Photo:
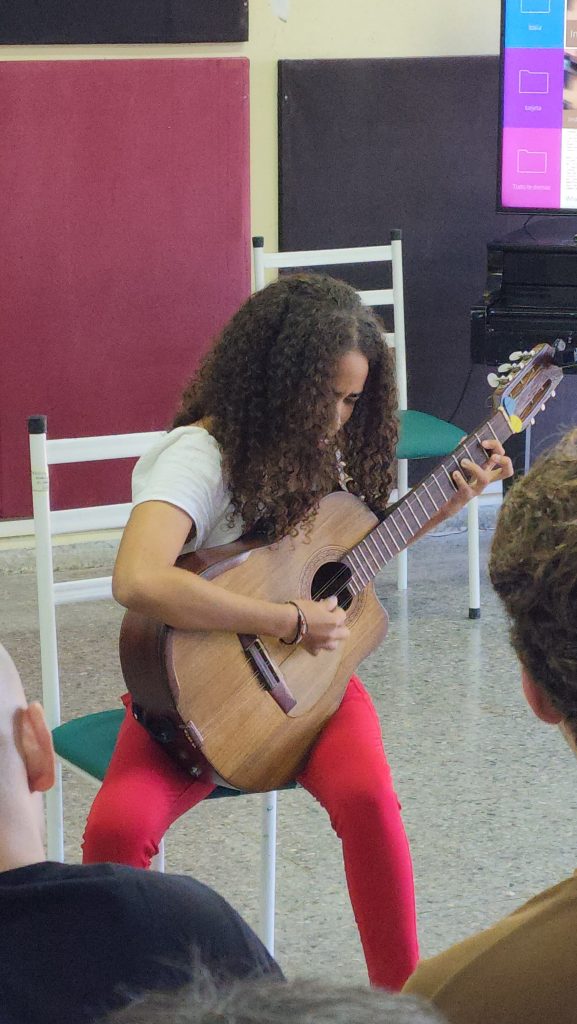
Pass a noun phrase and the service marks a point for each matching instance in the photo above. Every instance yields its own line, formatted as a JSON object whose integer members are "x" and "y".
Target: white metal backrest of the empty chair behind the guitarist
{"x": 394, "y": 297}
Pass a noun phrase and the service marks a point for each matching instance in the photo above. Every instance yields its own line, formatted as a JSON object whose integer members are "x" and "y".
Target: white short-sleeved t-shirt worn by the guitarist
{"x": 185, "y": 468}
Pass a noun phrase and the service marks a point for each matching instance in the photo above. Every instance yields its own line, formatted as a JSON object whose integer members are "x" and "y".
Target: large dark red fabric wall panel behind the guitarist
{"x": 125, "y": 212}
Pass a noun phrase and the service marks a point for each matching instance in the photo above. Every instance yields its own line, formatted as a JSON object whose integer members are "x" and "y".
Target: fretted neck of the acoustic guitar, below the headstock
{"x": 419, "y": 507}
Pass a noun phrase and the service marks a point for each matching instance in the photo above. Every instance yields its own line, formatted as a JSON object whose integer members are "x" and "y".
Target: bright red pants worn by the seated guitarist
{"x": 145, "y": 792}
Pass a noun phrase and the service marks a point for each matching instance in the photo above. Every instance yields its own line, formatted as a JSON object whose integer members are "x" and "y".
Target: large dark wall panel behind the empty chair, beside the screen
{"x": 368, "y": 146}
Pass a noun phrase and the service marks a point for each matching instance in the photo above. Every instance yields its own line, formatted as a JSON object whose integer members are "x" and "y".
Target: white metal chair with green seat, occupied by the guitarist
{"x": 86, "y": 744}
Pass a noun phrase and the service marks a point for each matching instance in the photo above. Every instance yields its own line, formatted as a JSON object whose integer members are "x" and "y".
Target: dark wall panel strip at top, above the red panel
{"x": 123, "y": 21}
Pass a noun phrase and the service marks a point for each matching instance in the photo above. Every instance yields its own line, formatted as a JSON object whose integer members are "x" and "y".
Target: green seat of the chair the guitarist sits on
{"x": 89, "y": 743}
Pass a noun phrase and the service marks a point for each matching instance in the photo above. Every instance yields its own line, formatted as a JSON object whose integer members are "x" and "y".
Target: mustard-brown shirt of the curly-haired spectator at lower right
{"x": 521, "y": 971}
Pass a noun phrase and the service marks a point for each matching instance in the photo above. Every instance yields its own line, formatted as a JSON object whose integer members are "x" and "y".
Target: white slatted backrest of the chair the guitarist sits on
{"x": 46, "y": 453}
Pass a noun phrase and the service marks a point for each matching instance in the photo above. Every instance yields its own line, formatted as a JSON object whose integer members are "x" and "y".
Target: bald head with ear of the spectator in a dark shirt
{"x": 27, "y": 770}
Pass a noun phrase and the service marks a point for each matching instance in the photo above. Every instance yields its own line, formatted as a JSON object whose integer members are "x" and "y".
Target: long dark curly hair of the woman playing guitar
{"x": 267, "y": 387}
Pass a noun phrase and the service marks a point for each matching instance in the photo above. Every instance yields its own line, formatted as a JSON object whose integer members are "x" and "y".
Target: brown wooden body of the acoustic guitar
{"x": 201, "y": 693}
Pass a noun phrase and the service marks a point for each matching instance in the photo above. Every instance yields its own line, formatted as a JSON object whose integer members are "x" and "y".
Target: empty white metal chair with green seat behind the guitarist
{"x": 422, "y": 436}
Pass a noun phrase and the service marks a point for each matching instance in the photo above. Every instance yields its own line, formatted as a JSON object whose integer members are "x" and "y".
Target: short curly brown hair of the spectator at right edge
{"x": 533, "y": 569}
